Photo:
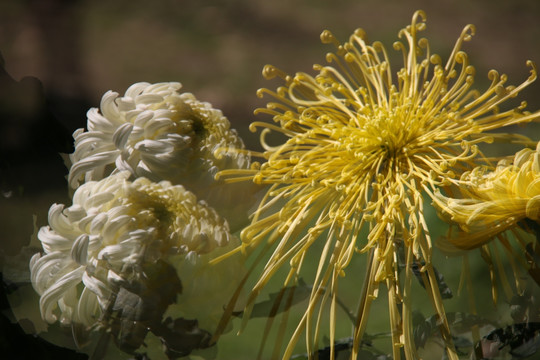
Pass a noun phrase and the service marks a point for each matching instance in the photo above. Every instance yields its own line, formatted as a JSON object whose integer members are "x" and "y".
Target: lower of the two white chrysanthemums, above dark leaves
{"x": 118, "y": 232}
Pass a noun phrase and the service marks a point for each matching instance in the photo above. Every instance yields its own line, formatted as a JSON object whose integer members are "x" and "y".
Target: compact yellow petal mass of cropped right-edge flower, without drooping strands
{"x": 492, "y": 202}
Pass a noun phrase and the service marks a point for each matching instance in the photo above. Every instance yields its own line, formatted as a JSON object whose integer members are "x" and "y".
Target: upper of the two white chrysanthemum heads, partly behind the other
{"x": 157, "y": 132}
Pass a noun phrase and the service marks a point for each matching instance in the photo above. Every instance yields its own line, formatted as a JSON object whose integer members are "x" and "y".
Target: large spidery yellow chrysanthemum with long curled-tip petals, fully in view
{"x": 361, "y": 150}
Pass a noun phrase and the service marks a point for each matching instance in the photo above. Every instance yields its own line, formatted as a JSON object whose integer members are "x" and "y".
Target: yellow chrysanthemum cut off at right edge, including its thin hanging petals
{"x": 506, "y": 198}
